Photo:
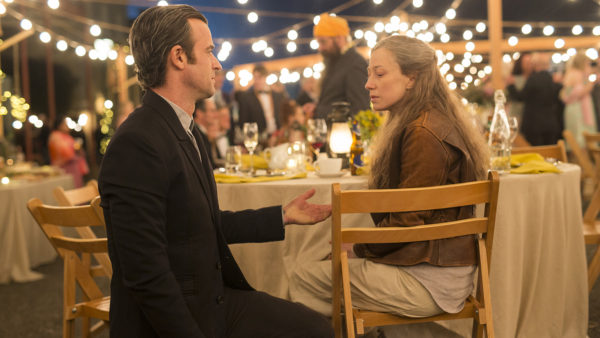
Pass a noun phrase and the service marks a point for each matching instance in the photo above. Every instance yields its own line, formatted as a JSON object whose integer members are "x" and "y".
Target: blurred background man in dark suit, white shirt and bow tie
{"x": 260, "y": 104}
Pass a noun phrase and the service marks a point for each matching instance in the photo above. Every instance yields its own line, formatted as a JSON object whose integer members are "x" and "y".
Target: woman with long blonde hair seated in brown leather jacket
{"x": 427, "y": 140}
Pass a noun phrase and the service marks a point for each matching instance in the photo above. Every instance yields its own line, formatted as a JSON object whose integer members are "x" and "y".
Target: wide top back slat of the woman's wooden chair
{"x": 414, "y": 199}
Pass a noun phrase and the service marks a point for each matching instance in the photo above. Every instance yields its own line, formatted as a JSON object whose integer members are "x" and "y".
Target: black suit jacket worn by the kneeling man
{"x": 167, "y": 238}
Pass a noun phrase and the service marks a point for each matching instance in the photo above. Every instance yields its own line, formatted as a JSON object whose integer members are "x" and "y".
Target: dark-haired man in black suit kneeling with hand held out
{"x": 174, "y": 275}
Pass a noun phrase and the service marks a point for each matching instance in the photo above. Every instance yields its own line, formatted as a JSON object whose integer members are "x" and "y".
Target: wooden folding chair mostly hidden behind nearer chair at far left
{"x": 81, "y": 196}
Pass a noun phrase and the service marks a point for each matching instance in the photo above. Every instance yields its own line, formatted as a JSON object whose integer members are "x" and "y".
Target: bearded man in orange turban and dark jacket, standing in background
{"x": 345, "y": 70}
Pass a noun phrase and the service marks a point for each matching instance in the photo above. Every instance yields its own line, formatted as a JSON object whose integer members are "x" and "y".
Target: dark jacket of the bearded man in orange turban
{"x": 344, "y": 81}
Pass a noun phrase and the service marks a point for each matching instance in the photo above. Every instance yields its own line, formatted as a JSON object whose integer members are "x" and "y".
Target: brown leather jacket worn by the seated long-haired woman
{"x": 430, "y": 152}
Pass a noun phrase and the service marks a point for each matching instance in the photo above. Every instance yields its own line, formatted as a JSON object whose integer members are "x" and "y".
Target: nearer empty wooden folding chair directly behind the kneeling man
{"x": 77, "y": 270}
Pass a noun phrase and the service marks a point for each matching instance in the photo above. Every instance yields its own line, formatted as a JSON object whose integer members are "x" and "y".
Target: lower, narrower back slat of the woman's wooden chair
{"x": 430, "y": 232}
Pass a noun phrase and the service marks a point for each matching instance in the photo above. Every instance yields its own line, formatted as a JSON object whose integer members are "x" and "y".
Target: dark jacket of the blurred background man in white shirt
{"x": 250, "y": 109}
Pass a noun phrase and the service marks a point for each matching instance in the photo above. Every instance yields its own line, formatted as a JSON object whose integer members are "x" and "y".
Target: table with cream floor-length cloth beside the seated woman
{"x": 538, "y": 272}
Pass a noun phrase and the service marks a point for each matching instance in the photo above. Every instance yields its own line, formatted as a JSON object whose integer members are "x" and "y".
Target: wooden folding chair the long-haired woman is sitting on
{"x": 416, "y": 199}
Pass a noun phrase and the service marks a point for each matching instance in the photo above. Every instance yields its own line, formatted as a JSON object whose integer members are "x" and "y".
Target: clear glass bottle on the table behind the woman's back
{"x": 499, "y": 138}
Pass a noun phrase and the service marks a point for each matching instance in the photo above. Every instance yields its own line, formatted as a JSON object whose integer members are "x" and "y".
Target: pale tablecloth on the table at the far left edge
{"x": 23, "y": 245}
